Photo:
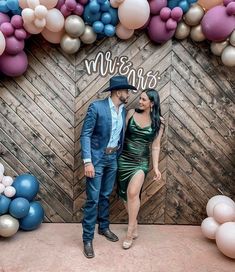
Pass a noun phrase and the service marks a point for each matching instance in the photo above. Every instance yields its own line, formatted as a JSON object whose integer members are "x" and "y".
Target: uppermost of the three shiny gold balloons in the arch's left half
{"x": 74, "y": 26}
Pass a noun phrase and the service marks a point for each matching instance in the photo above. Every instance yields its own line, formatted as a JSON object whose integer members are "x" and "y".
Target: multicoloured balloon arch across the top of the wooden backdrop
{"x": 73, "y": 22}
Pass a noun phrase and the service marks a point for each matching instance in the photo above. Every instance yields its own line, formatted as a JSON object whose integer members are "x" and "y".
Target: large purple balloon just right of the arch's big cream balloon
{"x": 157, "y": 30}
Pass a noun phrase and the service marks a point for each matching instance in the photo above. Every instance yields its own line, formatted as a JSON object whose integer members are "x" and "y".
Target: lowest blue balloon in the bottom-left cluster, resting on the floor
{"x": 34, "y": 217}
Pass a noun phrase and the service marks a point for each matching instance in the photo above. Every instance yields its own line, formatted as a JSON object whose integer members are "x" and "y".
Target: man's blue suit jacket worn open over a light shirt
{"x": 96, "y": 130}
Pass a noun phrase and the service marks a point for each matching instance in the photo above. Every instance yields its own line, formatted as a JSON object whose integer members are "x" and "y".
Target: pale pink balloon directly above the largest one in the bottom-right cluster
{"x": 223, "y": 213}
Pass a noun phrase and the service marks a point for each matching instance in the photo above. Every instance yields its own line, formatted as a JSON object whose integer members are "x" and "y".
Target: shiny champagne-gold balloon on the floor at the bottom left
{"x": 8, "y": 225}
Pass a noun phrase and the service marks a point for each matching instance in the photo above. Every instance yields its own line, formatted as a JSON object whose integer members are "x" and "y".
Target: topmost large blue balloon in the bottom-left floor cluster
{"x": 26, "y": 186}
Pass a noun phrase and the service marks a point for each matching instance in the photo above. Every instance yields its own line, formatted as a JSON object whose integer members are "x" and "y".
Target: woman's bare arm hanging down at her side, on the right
{"x": 156, "y": 150}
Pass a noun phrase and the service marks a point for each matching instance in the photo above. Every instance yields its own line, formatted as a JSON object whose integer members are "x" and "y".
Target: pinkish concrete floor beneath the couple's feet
{"x": 159, "y": 248}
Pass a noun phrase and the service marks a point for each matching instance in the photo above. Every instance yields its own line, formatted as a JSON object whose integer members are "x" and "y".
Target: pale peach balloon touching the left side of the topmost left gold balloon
{"x": 54, "y": 20}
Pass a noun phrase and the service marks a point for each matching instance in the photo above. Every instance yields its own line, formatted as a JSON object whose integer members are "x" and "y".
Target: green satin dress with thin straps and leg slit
{"x": 135, "y": 155}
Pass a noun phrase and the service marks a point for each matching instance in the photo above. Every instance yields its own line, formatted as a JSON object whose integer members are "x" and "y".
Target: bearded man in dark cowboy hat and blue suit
{"x": 101, "y": 142}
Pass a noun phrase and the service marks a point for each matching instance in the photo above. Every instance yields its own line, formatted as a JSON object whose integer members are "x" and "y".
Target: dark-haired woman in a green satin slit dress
{"x": 144, "y": 127}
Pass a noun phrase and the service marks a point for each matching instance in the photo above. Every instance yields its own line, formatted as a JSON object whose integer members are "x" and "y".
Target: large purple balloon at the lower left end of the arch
{"x": 13, "y": 65}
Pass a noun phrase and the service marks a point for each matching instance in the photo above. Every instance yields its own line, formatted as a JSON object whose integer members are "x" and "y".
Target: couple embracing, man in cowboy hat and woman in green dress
{"x": 116, "y": 146}
